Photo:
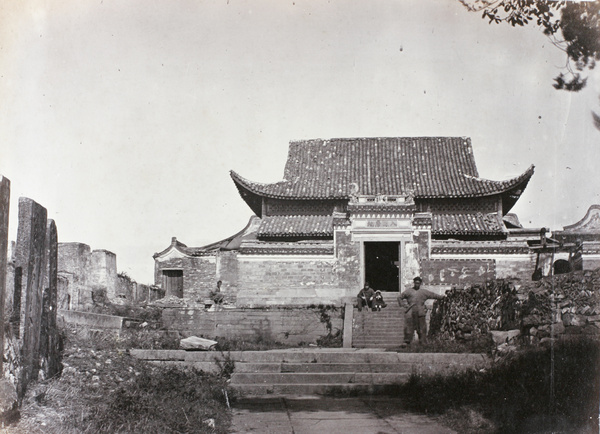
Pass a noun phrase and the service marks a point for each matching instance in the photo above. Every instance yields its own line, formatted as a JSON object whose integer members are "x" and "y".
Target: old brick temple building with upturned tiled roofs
{"x": 347, "y": 211}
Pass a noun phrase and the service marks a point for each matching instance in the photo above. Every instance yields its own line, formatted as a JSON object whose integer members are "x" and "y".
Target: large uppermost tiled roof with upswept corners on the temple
{"x": 428, "y": 167}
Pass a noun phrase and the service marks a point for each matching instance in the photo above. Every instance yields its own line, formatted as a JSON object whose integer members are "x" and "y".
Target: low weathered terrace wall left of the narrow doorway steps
{"x": 286, "y": 325}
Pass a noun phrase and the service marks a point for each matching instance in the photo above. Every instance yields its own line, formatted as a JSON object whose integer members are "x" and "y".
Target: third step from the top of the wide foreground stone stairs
{"x": 318, "y": 378}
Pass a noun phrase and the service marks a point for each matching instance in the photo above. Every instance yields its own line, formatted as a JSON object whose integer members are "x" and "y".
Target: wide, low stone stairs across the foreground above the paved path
{"x": 317, "y": 371}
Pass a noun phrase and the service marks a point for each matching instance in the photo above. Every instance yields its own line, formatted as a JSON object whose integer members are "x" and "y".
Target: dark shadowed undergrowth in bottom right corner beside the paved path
{"x": 557, "y": 389}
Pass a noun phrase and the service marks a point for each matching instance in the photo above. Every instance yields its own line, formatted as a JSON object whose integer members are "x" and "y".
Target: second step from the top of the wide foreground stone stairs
{"x": 322, "y": 367}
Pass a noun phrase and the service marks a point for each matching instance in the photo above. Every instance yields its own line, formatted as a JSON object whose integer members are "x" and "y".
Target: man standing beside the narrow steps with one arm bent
{"x": 414, "y": 318}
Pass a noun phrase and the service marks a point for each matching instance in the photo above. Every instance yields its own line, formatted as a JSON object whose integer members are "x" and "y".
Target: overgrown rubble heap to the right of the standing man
{"x": 566, "y": 303}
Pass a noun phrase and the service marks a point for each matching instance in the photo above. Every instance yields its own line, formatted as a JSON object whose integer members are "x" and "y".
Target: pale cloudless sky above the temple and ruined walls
{"x": 123, "y": 118}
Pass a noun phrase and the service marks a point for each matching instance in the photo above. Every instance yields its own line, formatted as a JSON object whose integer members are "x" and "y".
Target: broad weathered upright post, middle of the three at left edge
{"x": 30, "y": 258}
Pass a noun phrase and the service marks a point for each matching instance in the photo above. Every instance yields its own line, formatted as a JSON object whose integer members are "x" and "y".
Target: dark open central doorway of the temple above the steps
{"x": 381, "y": 269}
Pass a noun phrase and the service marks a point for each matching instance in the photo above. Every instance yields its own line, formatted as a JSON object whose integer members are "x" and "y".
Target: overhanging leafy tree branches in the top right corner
{"x": 576, "y": 31}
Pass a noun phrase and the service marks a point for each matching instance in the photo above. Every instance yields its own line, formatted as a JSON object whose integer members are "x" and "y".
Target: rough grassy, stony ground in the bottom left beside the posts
{"x": 104, "y": 389}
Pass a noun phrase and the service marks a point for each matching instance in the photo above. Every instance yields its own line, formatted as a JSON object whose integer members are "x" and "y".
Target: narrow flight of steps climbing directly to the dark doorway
{"x": 379, "y": 329}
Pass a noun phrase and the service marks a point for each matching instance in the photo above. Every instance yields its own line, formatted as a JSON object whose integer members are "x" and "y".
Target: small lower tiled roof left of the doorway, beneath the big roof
{"x": 296, "y": 226}
